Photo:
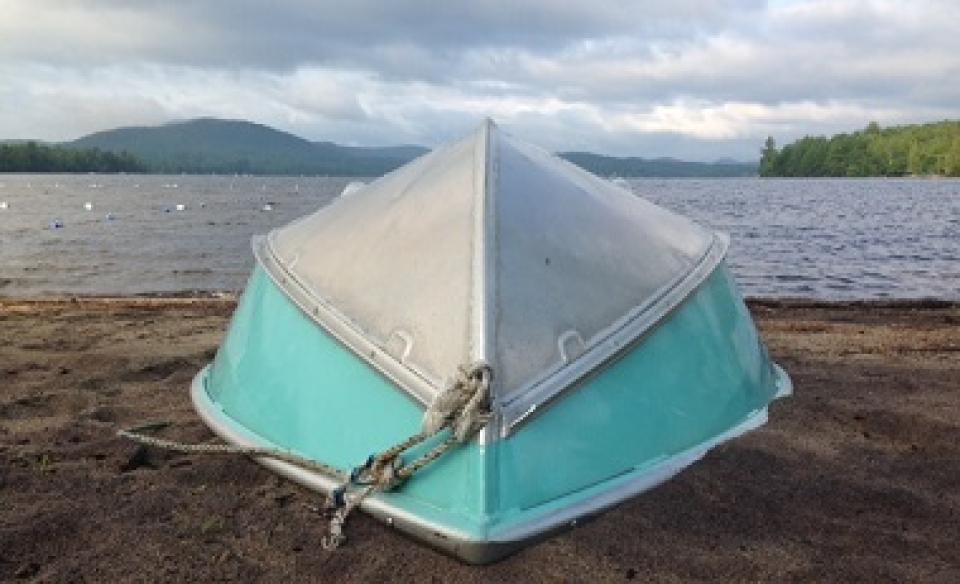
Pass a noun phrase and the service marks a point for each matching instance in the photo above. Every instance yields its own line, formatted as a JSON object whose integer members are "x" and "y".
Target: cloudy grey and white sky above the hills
{"x": 693, "y": 79}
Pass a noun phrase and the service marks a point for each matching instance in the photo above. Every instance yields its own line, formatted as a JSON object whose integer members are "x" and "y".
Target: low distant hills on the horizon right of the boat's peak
{"x": 657, "y": 167}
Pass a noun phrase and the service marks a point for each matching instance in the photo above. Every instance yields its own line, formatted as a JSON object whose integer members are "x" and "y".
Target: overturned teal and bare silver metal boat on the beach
{"x": 614, "y": 345}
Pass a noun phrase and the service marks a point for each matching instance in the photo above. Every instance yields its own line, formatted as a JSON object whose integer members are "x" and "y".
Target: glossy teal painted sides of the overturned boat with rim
{"x": 697, "y": 378}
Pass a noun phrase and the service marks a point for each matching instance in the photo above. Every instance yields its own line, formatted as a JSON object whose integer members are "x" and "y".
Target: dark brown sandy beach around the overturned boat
{"x": 856, "y": 478}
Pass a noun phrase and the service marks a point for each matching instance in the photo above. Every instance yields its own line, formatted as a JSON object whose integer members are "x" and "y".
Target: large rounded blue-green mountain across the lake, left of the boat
{"x": 228, "y": 146}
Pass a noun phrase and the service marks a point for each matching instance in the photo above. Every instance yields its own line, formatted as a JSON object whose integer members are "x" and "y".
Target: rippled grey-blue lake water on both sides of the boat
{"x": 829, "y": 239}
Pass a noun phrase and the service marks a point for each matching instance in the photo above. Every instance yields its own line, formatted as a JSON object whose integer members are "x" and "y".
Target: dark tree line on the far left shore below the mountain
{"x": 34, "y": 157}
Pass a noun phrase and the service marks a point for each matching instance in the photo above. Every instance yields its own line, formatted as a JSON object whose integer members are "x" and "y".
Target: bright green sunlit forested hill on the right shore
{"x": 917, "y": 150}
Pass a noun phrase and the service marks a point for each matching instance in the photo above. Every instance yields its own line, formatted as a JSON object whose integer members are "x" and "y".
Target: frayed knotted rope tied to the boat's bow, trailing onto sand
{"x": 462, "y": 408}
